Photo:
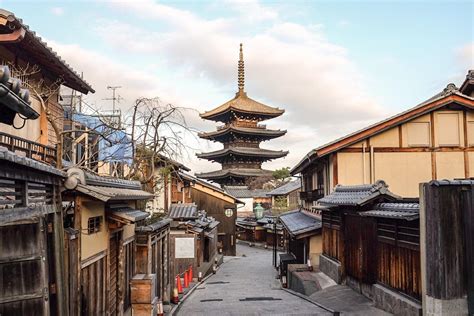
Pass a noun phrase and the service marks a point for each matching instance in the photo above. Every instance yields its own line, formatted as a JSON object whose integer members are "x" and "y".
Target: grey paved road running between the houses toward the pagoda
{"x": 238, "y": 285}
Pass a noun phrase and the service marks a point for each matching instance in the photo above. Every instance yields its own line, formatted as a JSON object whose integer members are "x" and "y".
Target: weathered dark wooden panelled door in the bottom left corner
{"x": 23, "y": 267}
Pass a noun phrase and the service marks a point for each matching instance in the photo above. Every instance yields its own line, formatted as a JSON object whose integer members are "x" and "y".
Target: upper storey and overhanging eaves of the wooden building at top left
{"x": 22, "y": 49}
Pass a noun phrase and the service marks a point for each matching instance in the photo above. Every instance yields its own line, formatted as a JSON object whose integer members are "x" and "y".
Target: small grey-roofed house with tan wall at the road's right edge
{"x": 302, "y": 234}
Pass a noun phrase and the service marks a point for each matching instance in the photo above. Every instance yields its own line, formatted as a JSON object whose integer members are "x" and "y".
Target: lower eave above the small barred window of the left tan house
{"x": 107, "y": 194}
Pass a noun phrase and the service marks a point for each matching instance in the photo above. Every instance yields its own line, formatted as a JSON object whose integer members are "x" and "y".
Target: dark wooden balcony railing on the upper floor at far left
{"x": 31, "y": 149}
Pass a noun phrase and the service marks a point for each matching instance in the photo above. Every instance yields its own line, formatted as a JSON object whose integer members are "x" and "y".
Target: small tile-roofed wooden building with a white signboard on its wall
{"x": 193, "y": 239}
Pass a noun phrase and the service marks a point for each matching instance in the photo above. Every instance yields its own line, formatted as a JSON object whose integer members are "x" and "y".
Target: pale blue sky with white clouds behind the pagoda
{"x": 334, "y": 66}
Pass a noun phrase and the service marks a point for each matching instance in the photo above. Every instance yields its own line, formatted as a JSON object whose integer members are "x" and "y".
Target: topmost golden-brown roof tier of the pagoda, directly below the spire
{"x": 244, "y": 105}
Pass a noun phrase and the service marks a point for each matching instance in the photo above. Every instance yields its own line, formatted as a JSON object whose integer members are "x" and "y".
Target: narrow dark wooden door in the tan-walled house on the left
{"x": 114, "y": 274}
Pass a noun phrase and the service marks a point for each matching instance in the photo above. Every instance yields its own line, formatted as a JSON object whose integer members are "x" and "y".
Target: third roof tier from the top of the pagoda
{"x": 264, "y": 154}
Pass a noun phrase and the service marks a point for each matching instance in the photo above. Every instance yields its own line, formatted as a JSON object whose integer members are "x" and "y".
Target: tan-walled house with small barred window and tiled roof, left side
{"x": 101, "y": 216}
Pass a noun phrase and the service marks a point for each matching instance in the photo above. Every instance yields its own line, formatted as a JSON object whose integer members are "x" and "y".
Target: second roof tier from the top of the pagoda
{"x": 256, "y": 132}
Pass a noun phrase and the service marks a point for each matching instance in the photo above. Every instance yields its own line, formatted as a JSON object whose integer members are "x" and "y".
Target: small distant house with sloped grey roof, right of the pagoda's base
{"x": 286, "y": 197}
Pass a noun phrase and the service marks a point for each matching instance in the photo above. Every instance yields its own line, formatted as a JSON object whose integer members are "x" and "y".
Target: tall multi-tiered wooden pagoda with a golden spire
{"x": 241, "y": 134}
